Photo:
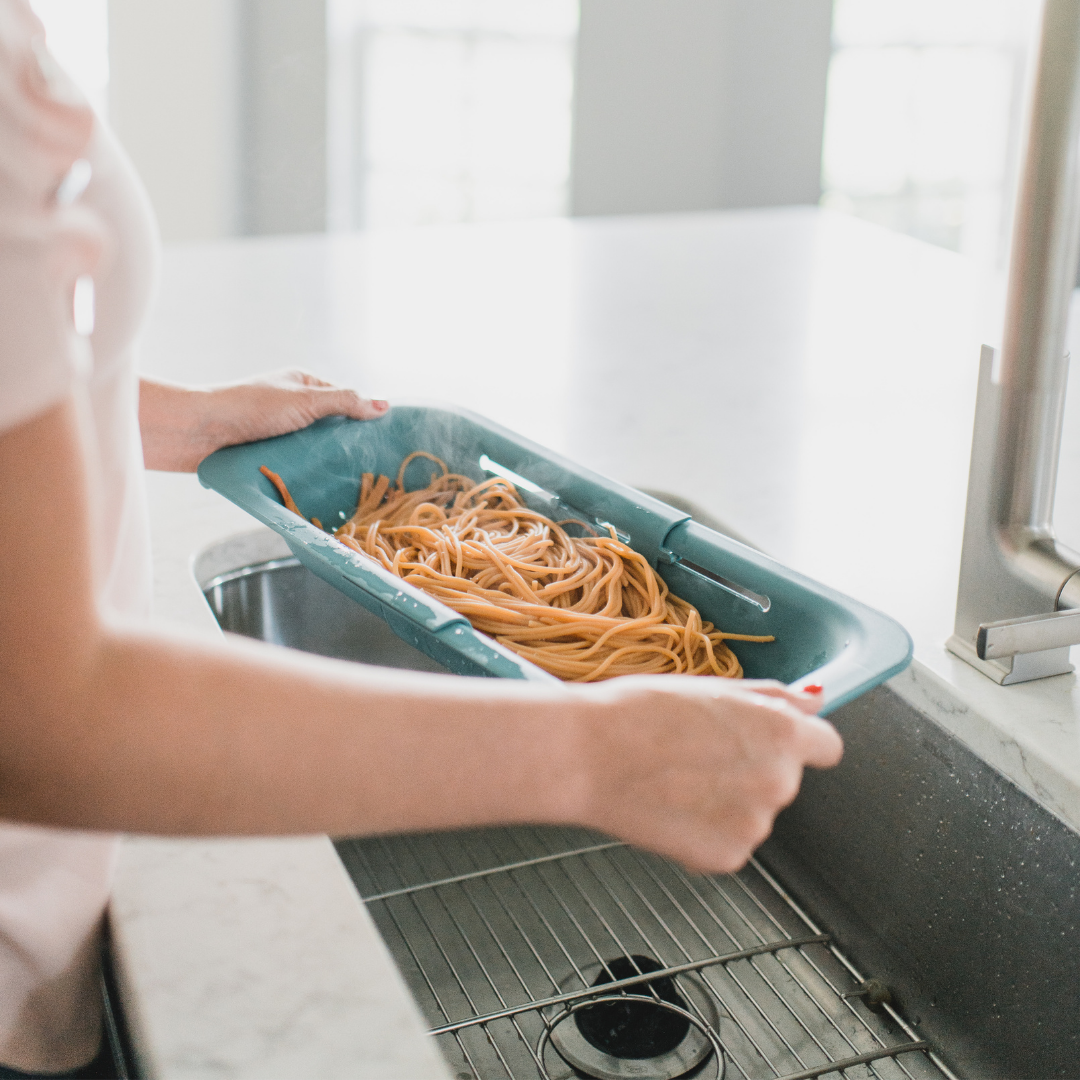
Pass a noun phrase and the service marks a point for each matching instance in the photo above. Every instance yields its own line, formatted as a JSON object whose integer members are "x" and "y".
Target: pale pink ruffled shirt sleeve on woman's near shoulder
{"x": 45, "y": 128}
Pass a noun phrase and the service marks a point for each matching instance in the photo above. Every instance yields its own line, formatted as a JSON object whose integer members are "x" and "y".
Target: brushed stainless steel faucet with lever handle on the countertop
{"x": 1015, "y": 574}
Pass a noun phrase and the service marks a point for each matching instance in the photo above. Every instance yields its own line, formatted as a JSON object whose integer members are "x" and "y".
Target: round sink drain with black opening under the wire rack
{"x": 661, "y": 1030}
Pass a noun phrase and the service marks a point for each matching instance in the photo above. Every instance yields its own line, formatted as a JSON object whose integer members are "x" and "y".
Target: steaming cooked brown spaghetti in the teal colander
{"x": 583, "y": 609}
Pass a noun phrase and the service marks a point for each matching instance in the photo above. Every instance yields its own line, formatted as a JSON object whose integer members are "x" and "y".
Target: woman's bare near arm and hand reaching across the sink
{"x": 107, "y": 726}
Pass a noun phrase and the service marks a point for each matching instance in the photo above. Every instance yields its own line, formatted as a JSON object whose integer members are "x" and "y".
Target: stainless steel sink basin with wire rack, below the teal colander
{"x": 913, "y": 916}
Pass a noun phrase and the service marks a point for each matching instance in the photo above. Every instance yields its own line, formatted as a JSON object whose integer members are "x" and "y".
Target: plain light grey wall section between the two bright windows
{"x": 699, "y": 104}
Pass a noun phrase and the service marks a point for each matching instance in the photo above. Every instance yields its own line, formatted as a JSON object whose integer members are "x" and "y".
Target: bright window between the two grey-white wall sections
{"x": 450, "y": 111}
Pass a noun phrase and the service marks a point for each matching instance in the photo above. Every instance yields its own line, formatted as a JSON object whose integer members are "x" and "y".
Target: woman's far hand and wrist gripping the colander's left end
{"x": 182, "y": 426}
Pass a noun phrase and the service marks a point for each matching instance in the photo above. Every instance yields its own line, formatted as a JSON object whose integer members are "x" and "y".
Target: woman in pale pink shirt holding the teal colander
{"x": 109, "y": 725}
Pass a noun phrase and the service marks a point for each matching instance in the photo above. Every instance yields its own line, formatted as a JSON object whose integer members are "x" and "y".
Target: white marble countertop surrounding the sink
{"x": 807, "y": 379}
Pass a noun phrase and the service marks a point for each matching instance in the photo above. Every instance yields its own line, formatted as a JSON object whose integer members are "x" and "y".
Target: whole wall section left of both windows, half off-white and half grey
{"x": 222, "y": 104}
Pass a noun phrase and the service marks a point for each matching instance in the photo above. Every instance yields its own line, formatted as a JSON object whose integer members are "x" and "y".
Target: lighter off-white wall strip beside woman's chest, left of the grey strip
{"x": 173, "y": 101}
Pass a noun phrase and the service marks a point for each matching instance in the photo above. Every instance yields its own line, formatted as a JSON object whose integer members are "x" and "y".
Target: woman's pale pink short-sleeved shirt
{"x": 55, "y": 885}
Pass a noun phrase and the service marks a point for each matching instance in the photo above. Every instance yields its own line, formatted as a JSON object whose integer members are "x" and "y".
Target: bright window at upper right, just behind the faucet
{"x": 924, "y": 116}
